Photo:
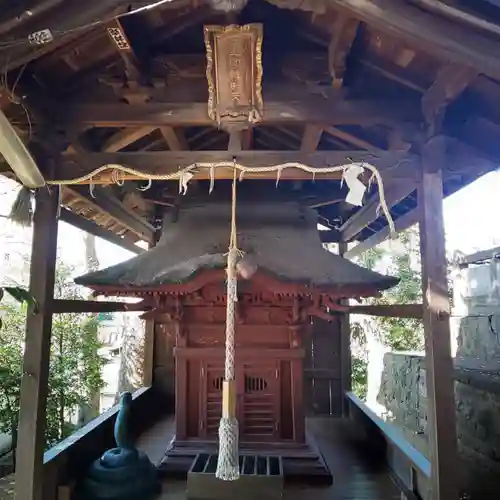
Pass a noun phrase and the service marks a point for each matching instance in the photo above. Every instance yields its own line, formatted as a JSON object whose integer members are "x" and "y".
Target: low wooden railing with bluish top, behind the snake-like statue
{"x": 71, "y": 457}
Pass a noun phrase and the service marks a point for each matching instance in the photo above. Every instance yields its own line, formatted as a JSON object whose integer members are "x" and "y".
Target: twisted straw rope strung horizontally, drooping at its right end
{"x": 242, "y": 169}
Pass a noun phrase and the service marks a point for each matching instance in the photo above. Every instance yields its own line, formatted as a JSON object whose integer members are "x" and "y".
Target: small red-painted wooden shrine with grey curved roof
{"x": 286, "y": 280}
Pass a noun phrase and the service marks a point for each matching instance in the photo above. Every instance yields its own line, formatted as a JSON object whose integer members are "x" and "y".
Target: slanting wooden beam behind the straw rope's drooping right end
{"x": 394, "y": 193}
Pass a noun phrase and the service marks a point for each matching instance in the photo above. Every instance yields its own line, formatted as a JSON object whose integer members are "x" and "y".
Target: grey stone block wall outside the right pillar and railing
{"x": 475, "y": 341}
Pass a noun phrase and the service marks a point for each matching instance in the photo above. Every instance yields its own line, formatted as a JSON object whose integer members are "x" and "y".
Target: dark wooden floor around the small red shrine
{"x": 354, "y": 477}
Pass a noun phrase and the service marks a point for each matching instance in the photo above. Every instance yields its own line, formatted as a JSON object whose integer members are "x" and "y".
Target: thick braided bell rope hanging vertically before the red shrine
{"x": 228, "y": 468}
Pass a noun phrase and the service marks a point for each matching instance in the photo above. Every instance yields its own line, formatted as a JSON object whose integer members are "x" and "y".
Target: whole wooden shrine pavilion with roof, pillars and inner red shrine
{"x": 125, "y": 117}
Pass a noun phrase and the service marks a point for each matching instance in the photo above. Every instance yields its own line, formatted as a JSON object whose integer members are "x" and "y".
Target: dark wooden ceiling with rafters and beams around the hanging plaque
{"x": 358, "y": 79}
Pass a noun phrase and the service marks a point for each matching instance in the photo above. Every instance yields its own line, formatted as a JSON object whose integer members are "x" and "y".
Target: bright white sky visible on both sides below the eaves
{"x": 470, "y": 216}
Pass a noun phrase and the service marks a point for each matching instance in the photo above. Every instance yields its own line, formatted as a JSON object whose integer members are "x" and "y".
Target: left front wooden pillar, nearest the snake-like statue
{"x": 34, "y": 386}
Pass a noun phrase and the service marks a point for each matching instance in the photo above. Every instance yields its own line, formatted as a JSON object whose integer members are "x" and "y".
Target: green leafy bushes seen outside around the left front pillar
{"x": 75, "y": 366}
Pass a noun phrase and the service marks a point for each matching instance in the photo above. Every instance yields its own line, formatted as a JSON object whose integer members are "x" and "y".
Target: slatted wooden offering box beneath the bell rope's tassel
{"x": 260, "y": 476}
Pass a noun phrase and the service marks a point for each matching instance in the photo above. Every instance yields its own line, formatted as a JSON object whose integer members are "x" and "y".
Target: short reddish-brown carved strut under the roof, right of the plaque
{"x": 344, "y": 33}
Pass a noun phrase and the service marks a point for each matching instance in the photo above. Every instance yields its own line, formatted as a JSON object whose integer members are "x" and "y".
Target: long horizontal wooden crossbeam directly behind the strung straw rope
{"x": 169, "y": 162}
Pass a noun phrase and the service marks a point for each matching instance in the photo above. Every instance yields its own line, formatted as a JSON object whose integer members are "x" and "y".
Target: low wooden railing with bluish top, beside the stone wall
{"x": 410, "y": 470}
